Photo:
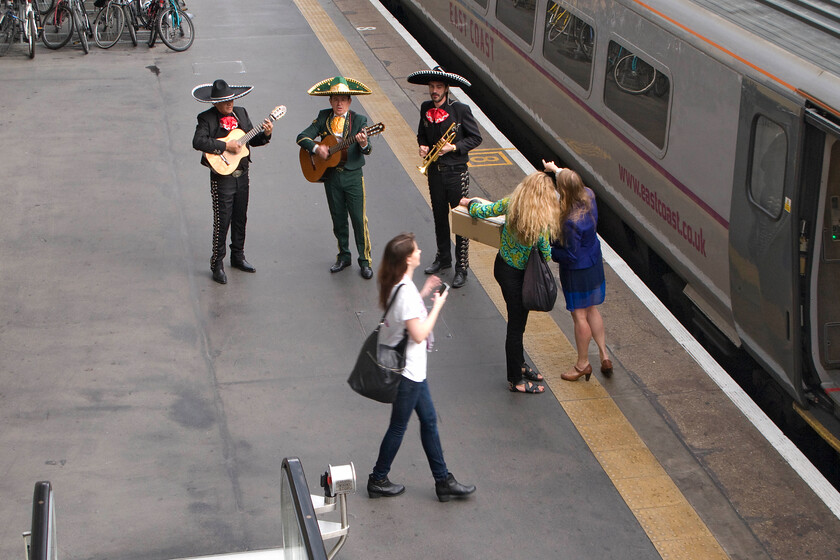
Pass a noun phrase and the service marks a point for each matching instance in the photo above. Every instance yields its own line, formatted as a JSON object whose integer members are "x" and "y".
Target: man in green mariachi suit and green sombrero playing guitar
{"x": 344, "y": 184}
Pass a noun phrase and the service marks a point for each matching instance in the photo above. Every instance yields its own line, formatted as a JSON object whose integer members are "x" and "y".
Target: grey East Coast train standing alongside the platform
{"x": 727, "y": 165}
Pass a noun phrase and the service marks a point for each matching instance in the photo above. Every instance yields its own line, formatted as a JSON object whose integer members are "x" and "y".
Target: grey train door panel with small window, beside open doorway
{"x": 762, "y": 232}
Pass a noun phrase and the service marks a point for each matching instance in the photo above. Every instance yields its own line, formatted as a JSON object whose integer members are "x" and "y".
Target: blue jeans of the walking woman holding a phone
{"x": 412, "y": 396}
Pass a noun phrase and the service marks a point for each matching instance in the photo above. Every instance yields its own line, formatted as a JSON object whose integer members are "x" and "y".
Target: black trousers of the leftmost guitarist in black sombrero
{"x": 230, "y": 212}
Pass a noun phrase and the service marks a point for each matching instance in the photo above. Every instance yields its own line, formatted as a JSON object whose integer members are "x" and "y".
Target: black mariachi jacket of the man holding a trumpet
{"x": 467, "y": 137}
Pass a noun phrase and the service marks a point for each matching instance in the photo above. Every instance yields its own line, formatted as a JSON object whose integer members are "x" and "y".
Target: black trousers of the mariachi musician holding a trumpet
{"x": 447, "y": 186}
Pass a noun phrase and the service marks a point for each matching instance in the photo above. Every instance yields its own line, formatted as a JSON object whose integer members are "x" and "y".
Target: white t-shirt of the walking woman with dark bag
{"x": 408, "y": 305}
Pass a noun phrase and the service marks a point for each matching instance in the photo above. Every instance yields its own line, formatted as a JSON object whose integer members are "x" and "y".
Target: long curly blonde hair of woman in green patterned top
{"x": 534, "y": 209}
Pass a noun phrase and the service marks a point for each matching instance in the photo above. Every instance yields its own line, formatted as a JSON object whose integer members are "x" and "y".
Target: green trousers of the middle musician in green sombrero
{"x": 345, "y": 192}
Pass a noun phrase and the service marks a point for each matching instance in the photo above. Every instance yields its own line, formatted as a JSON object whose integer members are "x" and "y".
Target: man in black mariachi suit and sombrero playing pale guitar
{"x": 229, "y": 192}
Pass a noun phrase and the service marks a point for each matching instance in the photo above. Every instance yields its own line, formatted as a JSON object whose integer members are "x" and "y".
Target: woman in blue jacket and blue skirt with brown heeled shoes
{"x": 578, "y": 251}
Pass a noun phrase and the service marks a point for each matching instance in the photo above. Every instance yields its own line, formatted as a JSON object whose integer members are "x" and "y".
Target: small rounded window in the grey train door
{"x": 767, "y": 166}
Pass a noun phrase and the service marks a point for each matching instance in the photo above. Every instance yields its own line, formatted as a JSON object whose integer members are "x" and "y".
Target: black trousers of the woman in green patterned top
{"x": 510, "y": 280}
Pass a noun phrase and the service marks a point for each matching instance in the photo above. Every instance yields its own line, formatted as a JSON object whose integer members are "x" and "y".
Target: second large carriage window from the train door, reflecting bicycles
{"x": 568, "y": 43}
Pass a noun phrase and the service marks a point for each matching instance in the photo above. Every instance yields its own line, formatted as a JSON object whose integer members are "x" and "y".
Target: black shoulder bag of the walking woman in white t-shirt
{"x": 379, "y": 367}
